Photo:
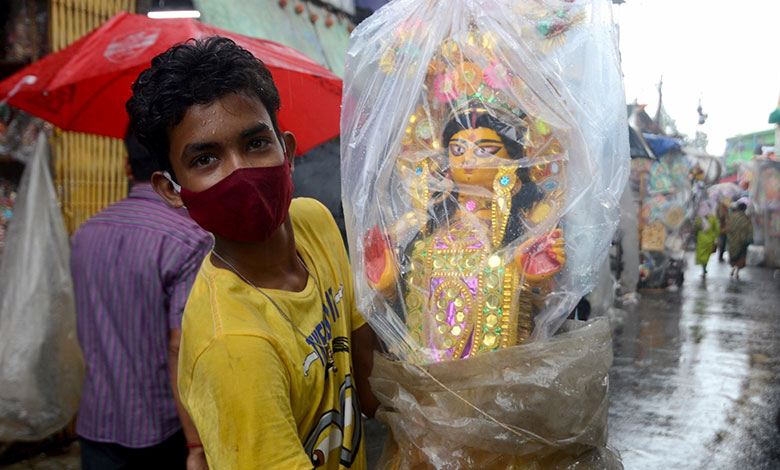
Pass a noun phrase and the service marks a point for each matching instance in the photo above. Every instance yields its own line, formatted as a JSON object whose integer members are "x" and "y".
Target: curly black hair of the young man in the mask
{"x": 195, "y": 72}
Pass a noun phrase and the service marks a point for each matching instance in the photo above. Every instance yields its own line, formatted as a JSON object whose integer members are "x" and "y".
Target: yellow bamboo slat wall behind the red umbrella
{"x": 89, "y": 169}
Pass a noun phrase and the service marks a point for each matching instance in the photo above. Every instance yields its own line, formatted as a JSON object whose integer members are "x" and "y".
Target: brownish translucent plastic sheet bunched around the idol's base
{"x": 536, "y": 406}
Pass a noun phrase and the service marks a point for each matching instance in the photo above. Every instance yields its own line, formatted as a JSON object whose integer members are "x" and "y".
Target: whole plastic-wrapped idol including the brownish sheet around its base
{"x": 483, "y": 154}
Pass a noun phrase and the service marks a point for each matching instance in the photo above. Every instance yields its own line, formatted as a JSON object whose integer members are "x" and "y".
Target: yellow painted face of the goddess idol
{"x": 475, "y": 155}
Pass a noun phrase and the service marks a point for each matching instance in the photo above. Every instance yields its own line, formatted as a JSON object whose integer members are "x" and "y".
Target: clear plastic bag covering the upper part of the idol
{"x": 484, "y": 150}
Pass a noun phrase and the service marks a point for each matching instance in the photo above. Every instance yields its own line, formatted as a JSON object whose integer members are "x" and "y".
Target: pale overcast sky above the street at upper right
{"x": 725, "y": 52}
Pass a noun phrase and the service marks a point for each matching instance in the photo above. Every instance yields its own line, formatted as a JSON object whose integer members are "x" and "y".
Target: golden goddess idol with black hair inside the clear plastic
{"x": 483, "y": 173}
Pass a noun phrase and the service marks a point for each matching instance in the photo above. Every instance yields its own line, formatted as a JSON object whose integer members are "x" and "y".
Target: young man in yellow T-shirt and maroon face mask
{"x": 273, "y": 353}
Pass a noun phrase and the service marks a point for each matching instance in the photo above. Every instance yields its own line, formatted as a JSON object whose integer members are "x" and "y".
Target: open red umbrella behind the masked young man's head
{"x": 84, "y": 87}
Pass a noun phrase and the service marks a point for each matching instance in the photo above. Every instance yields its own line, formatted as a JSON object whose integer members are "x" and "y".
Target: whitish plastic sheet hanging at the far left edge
{"x": 41, "y": 367}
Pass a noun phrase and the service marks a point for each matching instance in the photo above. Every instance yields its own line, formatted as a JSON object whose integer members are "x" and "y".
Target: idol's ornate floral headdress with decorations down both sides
{"x": 467, "y": 76}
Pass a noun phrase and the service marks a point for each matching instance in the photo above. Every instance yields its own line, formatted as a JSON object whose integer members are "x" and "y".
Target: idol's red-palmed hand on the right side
{"x": 541, "y": 258}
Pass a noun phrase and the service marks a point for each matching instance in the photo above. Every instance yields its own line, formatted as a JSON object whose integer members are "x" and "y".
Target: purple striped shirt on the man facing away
{"x": 133, "y": 265}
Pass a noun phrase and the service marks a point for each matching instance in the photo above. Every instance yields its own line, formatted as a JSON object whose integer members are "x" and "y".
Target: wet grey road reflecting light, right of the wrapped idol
{"x": 696, "y": 378}
